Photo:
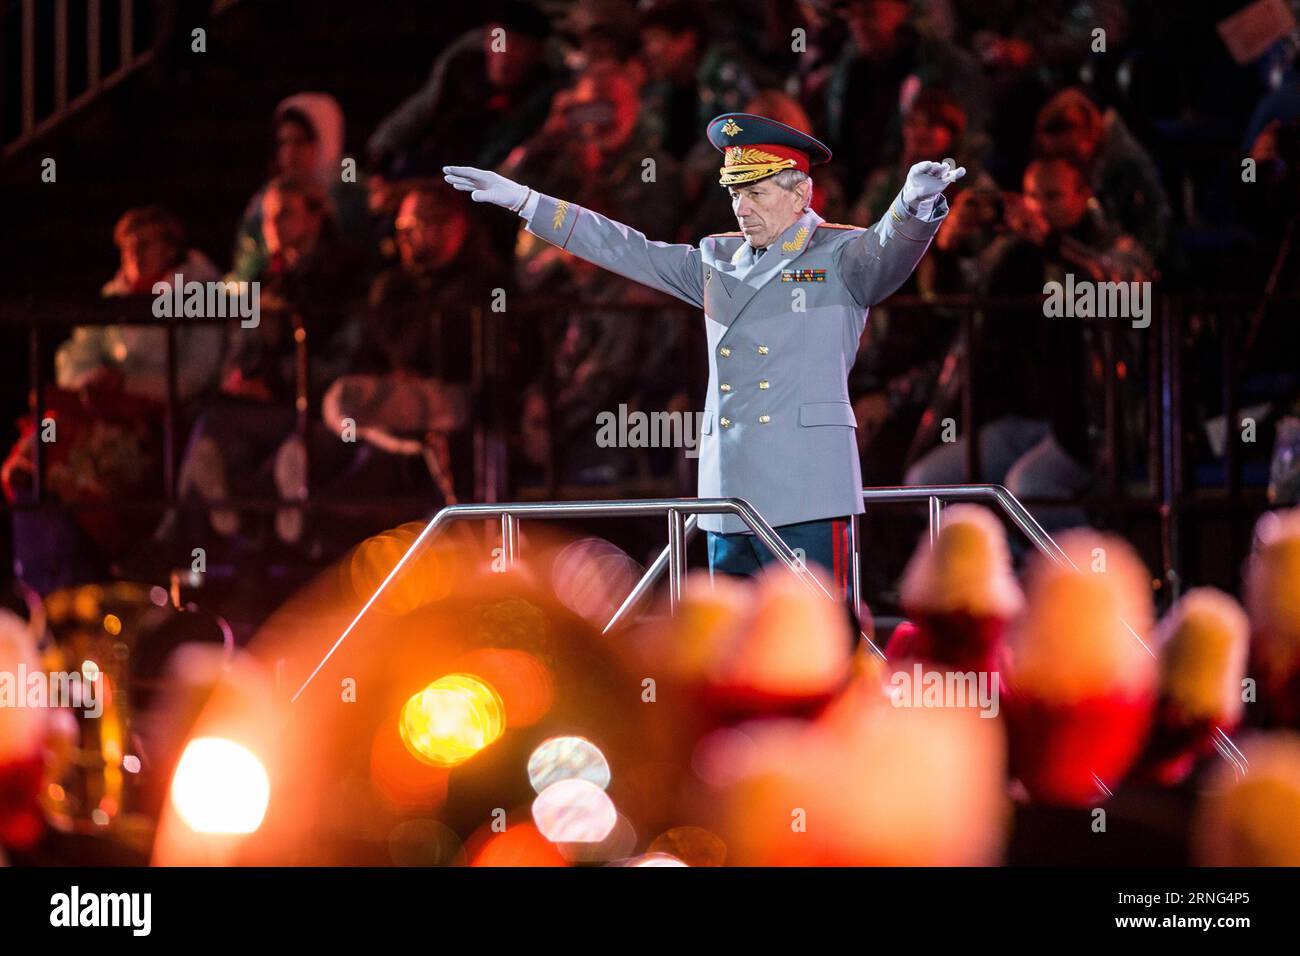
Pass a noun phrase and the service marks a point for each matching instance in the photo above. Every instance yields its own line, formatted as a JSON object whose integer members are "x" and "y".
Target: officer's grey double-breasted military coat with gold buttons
{"x": 783, "y": 334}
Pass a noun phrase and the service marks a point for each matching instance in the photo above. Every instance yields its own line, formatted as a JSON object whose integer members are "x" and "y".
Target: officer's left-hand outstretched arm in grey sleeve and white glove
{"x": 670, "y": 269}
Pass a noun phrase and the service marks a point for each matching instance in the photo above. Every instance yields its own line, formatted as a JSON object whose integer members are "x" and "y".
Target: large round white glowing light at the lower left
{"x": 220, "y": 788}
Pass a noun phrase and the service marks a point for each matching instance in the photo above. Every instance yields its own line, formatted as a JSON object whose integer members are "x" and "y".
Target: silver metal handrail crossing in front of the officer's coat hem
{"x": 675, "y": 509}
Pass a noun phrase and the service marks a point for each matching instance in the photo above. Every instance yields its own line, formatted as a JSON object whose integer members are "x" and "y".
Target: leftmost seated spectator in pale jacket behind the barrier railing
{"x": 103, "y": 418}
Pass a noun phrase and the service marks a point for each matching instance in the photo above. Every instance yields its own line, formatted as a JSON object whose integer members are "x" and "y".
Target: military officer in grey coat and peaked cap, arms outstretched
{"x": 786, "y": 301}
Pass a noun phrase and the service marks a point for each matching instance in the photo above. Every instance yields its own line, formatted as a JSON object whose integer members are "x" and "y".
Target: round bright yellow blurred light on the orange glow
{"x": 453, "y": 720}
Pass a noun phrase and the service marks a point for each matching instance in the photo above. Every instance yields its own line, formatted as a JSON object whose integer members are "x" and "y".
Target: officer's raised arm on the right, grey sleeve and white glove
{"x": 879, "y": 261}
